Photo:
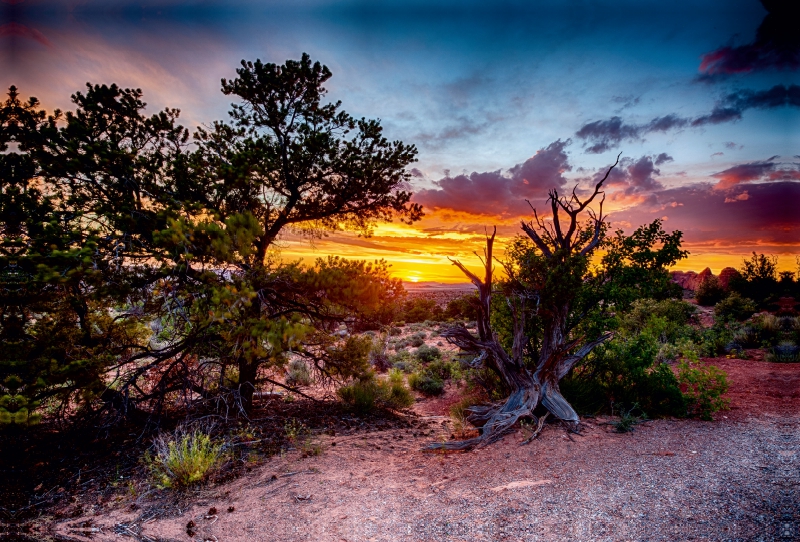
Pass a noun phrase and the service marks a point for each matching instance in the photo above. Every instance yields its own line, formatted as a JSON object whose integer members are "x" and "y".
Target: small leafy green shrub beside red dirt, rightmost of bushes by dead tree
{"x": 702, "y": 387}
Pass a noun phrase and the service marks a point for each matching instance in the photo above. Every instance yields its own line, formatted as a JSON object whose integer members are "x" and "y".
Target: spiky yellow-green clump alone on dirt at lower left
{"x": 183, "y": 458}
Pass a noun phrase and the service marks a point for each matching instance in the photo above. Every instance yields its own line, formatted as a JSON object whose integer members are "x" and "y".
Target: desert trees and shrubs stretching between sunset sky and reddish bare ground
{"x": 142, "y": 288}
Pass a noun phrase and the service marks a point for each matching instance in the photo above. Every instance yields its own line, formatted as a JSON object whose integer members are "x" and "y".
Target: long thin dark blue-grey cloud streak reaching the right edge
{"x": 603, "y": 135}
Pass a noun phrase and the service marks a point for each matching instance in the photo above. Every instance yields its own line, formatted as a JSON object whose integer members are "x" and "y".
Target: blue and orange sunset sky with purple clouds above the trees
{"x": 504, "y": 100}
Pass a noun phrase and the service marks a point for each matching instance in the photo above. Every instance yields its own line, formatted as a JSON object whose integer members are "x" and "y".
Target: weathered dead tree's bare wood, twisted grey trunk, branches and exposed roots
{"x": 558, "y": 245}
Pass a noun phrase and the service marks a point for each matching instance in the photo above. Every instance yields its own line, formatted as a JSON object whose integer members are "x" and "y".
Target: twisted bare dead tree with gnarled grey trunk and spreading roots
{"x": 545, "y": 283}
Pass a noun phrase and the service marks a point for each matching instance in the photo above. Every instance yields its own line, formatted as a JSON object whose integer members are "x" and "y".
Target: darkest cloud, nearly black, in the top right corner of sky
{"x": 777, "y": 46}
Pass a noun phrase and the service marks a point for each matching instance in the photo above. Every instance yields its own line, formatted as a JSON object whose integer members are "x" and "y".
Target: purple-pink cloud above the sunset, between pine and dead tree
{"x": 497, "y": 193}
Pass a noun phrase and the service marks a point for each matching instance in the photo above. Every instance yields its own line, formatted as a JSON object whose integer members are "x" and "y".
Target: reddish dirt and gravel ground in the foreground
{"x": 732, "y": 479}
